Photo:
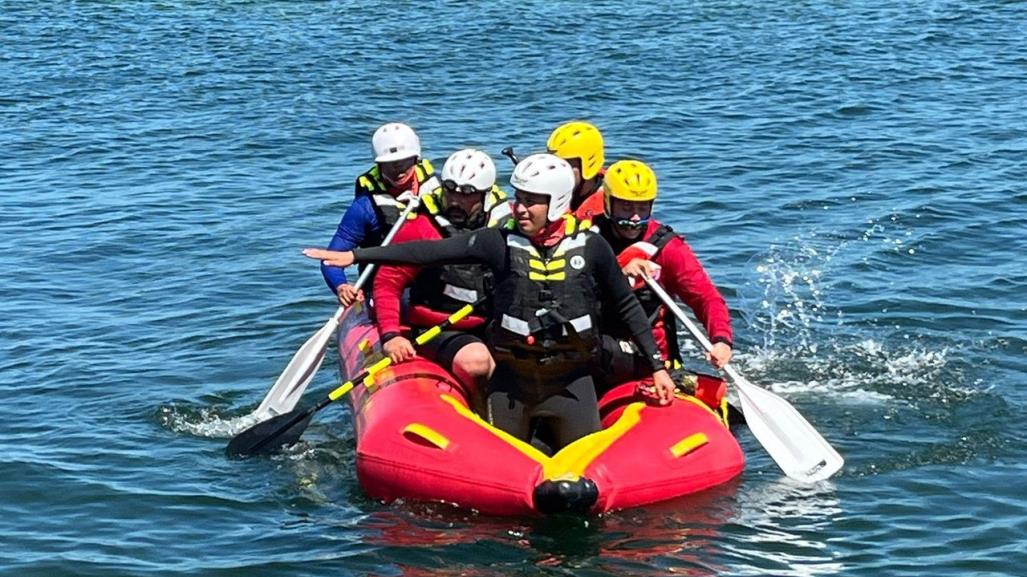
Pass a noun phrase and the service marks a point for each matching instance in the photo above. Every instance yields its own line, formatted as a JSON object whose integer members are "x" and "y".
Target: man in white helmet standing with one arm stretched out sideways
{"x": 553, "y": 279}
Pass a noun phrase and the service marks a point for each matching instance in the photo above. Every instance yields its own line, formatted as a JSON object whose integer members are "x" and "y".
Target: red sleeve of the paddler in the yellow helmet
{"x": 684, "y": 277}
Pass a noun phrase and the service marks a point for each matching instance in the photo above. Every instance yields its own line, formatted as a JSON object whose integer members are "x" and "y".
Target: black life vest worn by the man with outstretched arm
{"x": 548, "y": 307}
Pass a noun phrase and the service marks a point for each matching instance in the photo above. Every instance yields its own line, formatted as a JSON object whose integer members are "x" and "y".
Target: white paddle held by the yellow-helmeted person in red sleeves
{"x": 790, "y": 440}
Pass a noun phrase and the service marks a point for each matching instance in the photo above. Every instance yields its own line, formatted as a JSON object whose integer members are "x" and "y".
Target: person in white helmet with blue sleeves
{"x": 378, "y": 200}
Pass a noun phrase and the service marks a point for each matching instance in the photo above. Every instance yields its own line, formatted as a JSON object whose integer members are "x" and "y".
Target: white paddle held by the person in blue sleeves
{"x": 294, "y": 380}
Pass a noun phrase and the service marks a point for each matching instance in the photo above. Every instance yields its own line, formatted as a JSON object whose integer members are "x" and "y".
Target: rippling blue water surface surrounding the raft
{"x": 852, "y": 176}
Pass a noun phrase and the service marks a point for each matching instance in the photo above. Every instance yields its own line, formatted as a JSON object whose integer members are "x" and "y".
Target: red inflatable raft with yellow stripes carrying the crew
{"x": 419, "y": 440}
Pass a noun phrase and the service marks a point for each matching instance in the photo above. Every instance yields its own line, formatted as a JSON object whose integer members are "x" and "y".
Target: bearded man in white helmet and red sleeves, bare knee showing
{"x": 467, "y": 201}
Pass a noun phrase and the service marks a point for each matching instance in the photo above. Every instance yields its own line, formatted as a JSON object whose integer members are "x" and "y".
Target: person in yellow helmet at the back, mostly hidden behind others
{"x": 581, "y": 144}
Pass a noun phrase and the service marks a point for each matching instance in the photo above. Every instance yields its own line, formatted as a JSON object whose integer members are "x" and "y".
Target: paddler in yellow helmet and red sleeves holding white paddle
{"x": 646, "y": 247}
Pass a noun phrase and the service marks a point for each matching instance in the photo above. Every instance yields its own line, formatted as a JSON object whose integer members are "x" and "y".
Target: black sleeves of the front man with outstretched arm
{"x": 488, "y": 247}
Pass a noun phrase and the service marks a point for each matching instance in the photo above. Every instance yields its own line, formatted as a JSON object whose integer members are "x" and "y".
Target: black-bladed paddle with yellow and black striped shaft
{"x": 287, "y": 429}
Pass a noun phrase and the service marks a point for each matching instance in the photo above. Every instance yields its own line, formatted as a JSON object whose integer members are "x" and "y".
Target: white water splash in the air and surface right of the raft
{"x": 808, "y": 344}
